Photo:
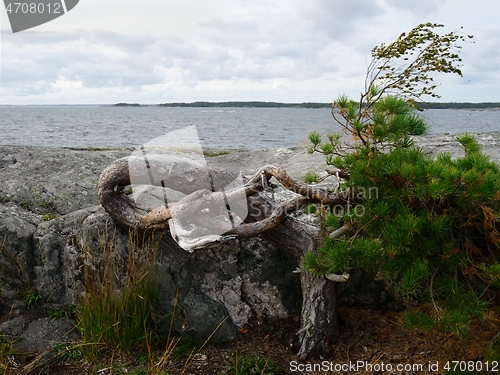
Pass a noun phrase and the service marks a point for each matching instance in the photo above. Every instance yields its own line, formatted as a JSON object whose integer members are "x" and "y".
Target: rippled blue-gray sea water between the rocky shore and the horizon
{"x": 234, "y": 128}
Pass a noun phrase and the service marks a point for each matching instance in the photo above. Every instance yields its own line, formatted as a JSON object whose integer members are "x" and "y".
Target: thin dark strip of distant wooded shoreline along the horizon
{"x": 256, "y": 104}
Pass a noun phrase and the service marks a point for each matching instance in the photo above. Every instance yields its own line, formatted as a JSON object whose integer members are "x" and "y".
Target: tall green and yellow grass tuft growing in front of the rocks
{"x": 117, "y": 309}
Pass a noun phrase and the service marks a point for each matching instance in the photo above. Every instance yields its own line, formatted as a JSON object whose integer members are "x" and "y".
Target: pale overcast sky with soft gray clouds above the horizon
{"x": 149, "y": 52}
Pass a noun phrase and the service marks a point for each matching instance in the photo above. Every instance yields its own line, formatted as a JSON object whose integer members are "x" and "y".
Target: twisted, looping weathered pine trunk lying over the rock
{"x": 207, "y": 202}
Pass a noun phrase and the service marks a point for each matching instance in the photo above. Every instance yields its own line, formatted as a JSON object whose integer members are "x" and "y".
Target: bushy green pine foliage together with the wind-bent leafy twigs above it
{"x": 433, "y": 224}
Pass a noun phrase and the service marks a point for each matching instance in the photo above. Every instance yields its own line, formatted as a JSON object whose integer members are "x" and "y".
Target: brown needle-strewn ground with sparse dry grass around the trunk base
{"x": 368, "y": 336}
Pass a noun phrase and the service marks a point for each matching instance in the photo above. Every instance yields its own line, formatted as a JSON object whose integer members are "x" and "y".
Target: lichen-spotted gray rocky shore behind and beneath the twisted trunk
{"x": 51, "y": 221}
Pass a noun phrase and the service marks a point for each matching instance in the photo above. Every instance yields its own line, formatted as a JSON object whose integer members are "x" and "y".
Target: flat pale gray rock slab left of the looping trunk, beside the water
{"x": 48, "y": 180}
